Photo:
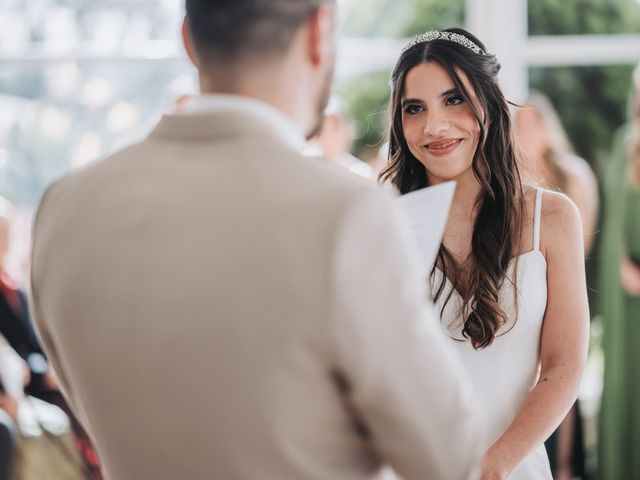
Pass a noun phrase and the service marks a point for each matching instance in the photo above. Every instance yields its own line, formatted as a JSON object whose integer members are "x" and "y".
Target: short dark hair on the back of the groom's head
{"x": 226, "y": 31}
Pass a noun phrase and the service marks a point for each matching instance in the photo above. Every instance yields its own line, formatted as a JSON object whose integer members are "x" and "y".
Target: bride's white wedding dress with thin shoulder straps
{"x": 504, "y": 373}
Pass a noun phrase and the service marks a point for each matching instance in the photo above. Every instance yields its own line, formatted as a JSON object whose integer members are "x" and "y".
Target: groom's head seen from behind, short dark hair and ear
{"x": 231, "y": 41}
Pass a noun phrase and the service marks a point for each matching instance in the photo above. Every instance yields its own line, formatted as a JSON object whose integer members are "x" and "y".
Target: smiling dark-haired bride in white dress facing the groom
{"x": 509, "y": 280}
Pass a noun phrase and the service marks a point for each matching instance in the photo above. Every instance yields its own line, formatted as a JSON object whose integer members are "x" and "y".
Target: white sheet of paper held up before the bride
{"x": 427, "y": 211}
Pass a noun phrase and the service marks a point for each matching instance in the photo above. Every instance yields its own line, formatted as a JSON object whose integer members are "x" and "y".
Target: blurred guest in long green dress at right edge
{"x": 619, "y": 439}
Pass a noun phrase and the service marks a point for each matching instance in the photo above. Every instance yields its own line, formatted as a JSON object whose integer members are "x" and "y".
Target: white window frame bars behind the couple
{"x": 501, "y": 24}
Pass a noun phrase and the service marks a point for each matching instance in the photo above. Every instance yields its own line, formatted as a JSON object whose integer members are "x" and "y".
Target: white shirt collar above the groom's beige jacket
{"x": 285, "y": 127}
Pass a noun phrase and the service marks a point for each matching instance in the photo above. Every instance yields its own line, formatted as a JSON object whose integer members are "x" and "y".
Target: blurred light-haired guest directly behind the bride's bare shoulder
{"x": 549, "y": 159}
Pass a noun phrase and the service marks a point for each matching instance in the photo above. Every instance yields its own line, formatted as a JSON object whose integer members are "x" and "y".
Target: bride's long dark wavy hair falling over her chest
{"x": 498, "y": 226}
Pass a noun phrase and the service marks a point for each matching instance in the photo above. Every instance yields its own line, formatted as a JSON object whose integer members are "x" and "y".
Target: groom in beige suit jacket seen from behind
{"x": 218, "y": 306}
